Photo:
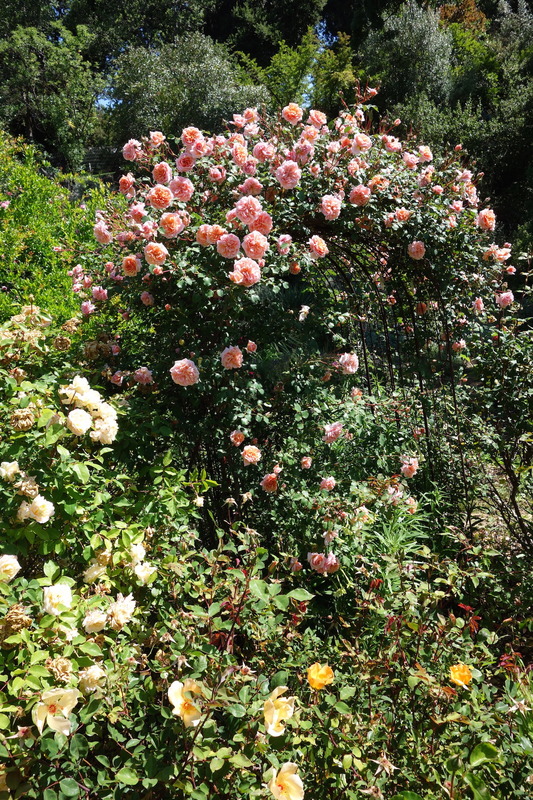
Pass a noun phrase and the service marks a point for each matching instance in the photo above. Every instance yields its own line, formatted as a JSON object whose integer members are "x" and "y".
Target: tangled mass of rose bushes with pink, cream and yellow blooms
{"x": 239, "y": 487}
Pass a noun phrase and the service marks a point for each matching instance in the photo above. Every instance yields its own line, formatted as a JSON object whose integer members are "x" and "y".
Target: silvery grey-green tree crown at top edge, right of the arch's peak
{"x": 410, "y": 54}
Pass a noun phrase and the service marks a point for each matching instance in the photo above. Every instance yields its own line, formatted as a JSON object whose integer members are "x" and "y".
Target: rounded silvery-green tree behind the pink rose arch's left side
{"x": 192, "y": 81}
